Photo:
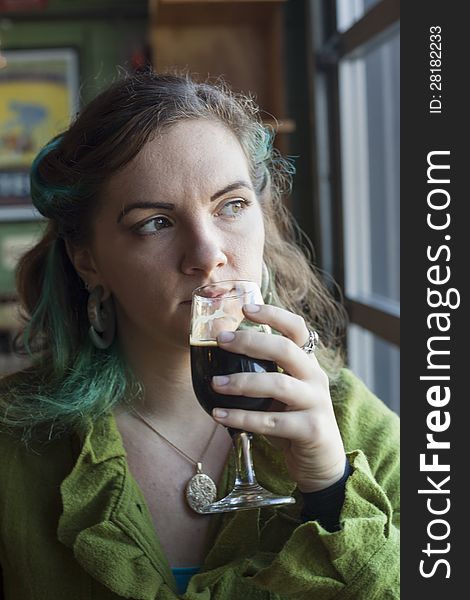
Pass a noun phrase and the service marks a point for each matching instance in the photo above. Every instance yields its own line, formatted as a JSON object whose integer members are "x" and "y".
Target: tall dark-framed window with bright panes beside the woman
{"x": 356, "y": 83}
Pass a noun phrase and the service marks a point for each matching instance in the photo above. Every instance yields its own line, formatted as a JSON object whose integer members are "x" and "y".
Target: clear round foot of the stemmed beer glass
{"x": 245, "y": 497}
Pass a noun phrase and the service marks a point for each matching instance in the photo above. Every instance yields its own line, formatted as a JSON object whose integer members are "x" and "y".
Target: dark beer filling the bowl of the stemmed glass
{"x": 209, "y": 360}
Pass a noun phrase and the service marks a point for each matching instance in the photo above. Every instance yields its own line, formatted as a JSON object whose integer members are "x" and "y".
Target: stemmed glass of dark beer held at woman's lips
{"x": 218, "y": 307}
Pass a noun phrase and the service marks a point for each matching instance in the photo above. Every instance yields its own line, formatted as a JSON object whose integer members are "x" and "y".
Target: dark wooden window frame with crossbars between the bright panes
{"x": 330, "y": 46}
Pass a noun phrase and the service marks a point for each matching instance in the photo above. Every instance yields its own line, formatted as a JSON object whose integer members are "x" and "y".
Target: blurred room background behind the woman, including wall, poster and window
{"x": 326, "y": 74}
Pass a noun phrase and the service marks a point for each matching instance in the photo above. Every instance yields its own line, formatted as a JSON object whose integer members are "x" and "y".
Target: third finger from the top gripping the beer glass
{"x": 293, "y": 393}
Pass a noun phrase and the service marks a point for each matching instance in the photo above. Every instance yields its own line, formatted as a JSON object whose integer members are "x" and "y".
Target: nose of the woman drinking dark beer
{"x": 203, "y": 251}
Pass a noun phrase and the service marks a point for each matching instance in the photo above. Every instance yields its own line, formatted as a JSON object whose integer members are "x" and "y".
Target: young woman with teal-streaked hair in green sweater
{"x": 159, "y": 186}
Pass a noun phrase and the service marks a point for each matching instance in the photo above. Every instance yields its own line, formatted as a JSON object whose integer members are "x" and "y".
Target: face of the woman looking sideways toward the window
{"x": 182, "y": 214}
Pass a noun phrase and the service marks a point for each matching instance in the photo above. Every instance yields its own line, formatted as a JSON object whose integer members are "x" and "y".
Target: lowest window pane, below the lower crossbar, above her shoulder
{"x": 377, "y": 363}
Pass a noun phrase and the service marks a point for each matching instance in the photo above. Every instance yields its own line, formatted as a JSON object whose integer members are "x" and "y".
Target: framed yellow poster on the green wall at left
{"x": 38, "y": 98}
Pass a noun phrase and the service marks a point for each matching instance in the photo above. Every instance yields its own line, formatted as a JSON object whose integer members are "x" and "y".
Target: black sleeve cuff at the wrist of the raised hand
{"x": 325, "y": 505}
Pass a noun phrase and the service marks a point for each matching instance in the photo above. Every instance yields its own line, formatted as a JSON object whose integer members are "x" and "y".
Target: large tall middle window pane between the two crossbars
{"x": 370, "y": 140}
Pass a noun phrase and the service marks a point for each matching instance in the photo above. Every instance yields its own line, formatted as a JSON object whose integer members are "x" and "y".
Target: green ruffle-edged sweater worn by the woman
{"x": 74, "y": 524}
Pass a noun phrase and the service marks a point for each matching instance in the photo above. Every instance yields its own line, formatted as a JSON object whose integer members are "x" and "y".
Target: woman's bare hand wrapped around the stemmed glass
{"x": 306, "y": 426}
